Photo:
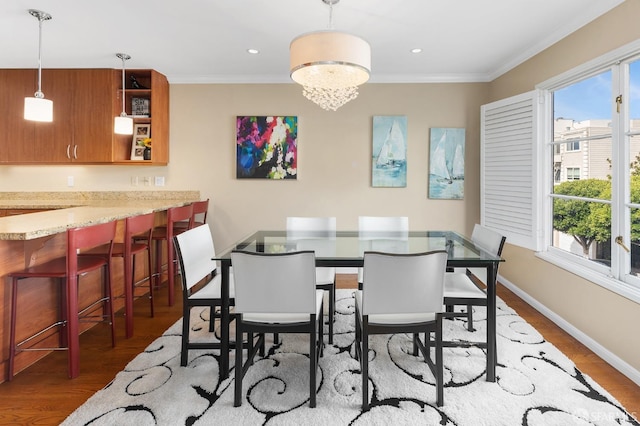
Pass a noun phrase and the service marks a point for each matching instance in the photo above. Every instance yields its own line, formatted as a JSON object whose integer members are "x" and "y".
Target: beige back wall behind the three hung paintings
{"x": 334, "y": 148}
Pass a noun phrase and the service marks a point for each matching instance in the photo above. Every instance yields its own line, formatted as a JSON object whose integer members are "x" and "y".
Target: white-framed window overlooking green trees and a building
{"x": 594, "y": 209}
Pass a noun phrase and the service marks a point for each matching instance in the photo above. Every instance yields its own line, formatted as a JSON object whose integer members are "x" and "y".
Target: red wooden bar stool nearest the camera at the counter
{"x": 67, "y": 270}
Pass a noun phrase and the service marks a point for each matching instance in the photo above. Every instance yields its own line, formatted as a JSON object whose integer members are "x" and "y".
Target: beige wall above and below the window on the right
{"x": 608, "y": 319}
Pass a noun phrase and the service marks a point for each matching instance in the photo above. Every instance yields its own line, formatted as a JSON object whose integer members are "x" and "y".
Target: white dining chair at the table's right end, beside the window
{"x": 467, "y": 286}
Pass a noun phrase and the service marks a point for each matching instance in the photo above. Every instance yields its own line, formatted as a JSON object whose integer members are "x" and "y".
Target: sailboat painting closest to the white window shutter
{"x": 446, "y": 163}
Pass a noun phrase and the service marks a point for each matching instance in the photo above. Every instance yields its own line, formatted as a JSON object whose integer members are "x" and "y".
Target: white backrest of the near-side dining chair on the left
{"x": 274, "y": 282}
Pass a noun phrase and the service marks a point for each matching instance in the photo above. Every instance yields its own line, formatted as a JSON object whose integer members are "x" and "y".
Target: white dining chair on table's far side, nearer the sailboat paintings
{"x": 384, "y": 234}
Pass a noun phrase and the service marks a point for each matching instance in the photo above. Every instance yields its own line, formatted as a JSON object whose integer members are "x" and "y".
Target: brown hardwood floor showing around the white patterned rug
{"x": 43, "y": 395}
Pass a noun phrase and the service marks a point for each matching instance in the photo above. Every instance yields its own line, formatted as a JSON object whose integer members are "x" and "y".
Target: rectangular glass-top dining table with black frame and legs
{"x": 345, "y": 249}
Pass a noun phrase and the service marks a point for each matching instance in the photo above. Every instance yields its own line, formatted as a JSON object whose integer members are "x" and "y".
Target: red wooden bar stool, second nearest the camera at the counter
{"x": 137, "y": 239}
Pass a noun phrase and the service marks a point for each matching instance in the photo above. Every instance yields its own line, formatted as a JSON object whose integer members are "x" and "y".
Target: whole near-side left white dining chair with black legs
{"x": 276, "y": 293}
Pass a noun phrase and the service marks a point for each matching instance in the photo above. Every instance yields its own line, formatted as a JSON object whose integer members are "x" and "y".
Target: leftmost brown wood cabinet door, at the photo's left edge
{"x": 15, "y": 85}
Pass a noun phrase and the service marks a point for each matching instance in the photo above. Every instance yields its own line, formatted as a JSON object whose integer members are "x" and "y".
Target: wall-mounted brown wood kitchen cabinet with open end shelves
{"x": 85, "y": 103}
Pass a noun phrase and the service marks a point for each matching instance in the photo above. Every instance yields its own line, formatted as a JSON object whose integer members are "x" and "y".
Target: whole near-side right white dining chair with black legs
{"x": 413, "y": 304}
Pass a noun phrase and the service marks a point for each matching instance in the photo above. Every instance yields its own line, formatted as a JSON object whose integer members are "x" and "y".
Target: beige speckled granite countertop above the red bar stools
{"x": 78, "y": 209}
